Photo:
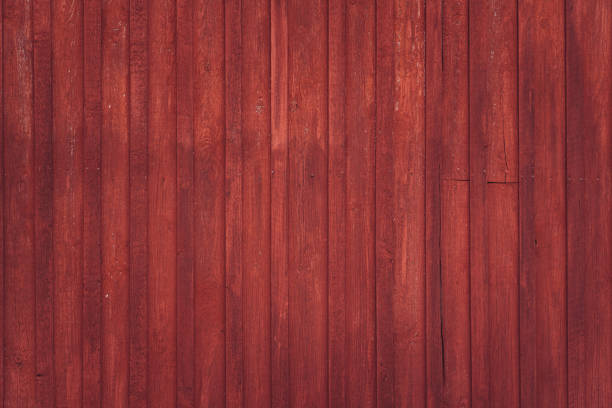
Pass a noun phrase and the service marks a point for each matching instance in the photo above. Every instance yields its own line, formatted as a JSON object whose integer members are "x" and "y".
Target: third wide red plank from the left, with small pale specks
{"x": 115, "y": 197}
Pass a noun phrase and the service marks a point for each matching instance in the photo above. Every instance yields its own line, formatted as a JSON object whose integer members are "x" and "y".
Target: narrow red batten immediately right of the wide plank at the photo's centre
{"x": 337, "y": 204}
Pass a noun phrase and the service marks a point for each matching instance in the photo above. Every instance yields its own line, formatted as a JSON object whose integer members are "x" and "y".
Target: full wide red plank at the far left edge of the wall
{"x": 19, "y": 190}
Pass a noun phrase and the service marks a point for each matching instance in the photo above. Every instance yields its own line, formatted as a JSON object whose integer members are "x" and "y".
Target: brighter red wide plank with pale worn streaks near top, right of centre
{"x": 409, "y": 203}
